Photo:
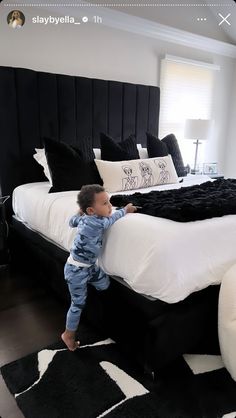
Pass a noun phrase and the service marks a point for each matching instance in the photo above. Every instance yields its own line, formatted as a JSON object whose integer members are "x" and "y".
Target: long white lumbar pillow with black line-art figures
{"x": 135, "y": 174}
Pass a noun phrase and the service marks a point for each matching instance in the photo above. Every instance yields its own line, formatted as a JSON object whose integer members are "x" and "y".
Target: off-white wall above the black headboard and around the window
{"x": 96, "y": 51}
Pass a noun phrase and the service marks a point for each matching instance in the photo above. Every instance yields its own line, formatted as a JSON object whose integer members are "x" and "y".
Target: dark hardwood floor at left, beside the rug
{"x": 30, "y": 319}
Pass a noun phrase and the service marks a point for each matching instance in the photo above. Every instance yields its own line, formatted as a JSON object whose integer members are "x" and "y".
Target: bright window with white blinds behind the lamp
{"x": 186, "y": 93}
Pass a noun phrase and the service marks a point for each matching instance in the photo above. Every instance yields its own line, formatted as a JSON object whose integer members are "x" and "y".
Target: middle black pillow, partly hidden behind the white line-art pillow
{"x": 118, "y": 151}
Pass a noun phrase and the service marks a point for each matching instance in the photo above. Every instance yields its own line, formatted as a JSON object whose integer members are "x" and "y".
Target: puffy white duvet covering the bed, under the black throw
{"x": 165, "y": 259}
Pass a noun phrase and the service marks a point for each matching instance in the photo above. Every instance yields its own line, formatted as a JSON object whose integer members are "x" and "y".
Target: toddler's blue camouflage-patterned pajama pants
{"x": 77, "y": 279}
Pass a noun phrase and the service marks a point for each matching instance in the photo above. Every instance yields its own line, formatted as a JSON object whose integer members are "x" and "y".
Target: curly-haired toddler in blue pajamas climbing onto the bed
{"x": 94, "y": 217}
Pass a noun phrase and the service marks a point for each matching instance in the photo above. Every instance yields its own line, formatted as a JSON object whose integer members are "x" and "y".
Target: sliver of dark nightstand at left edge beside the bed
{"x": 4, "y": 252}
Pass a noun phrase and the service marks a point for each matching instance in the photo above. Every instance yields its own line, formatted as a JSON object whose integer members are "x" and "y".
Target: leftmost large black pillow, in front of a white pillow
{"x": 68, "y": 169}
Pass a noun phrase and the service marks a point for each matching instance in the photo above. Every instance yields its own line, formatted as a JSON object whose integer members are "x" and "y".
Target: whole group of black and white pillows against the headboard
{"x": 69, "y": 167}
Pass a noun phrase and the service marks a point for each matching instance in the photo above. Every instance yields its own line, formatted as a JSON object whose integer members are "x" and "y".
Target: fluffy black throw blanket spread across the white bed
{"x": 193, "y": 203}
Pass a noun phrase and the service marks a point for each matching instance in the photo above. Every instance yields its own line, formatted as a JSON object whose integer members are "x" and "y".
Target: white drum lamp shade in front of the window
{"x": 197, "y": 128}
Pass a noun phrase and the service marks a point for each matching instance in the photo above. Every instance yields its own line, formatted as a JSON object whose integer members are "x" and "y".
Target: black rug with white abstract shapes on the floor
{"x": 99, "y": 381}
